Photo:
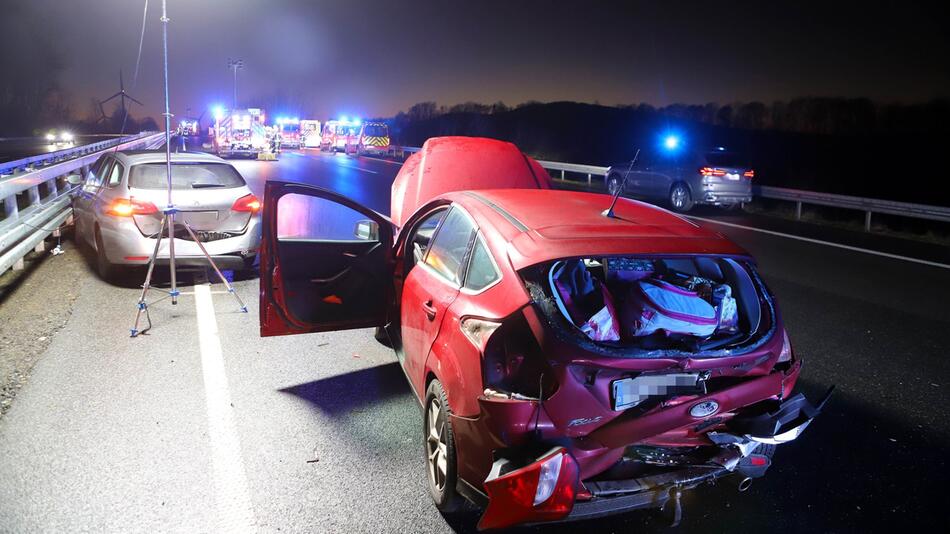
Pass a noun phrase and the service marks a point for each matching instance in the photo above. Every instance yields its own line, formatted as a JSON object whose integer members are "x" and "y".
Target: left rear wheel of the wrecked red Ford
{"x": 439, "y": 448}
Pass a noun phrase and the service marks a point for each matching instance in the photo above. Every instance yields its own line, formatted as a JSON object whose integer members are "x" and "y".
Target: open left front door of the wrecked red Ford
{"x": 326, "y": 262}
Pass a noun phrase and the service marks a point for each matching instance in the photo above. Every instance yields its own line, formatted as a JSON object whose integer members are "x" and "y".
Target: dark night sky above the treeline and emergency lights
{"x": 356, "y": 57}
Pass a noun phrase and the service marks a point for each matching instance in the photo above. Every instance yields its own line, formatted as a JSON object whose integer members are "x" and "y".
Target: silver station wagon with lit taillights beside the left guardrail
{"x": 119, "y": 207}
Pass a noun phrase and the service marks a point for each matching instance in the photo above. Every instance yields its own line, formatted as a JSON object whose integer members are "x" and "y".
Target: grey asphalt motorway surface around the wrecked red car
{"x": 204, "y": 426}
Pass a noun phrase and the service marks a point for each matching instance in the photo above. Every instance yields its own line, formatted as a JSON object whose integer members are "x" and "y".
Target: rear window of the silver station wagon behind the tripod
{"x": 185, "y": 176}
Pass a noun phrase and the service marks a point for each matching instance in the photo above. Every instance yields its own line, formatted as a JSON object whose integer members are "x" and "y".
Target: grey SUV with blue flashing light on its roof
{"x": 716, "y": 177}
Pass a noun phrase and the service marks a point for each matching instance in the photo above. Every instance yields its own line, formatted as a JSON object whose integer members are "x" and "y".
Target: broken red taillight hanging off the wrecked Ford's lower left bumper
{"x": 542, "y": 491}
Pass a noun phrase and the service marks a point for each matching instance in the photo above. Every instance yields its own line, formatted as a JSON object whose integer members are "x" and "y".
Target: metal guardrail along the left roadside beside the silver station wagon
{"x": 35, "y": 195}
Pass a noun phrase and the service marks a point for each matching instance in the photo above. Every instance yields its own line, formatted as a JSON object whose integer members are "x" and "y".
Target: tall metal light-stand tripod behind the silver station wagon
{"x": 168, "y": 218}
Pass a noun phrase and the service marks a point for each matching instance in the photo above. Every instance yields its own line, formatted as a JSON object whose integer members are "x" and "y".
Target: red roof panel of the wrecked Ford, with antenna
{"x": 544, "y": 225}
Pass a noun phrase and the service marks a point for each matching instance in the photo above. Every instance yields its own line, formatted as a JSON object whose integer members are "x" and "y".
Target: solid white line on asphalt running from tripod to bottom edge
{"x": 230, "y": 481}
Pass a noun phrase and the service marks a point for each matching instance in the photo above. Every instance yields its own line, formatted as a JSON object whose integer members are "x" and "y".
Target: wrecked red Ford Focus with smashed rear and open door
{"x": 569, "y": 364}
